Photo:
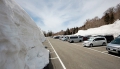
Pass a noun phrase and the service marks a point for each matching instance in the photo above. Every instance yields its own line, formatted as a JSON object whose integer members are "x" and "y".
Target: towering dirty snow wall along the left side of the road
{"x": 20, "y": 39}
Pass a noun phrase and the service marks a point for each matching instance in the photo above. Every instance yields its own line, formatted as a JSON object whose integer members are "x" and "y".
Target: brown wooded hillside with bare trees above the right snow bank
{"x": 110, "y": 16}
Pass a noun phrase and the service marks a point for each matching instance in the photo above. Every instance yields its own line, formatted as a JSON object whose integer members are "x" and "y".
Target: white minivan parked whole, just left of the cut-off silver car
{"x": 95, "y": 41}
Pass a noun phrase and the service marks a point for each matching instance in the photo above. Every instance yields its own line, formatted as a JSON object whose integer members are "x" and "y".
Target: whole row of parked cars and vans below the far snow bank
{"x": 112, "y": 45}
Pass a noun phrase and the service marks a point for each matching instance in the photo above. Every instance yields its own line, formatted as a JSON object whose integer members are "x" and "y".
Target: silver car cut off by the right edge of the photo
{"x": 114, "y": 46}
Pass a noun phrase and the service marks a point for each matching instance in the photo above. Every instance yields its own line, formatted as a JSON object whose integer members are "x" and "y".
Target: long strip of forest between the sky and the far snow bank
{"x": 109, "y": 17}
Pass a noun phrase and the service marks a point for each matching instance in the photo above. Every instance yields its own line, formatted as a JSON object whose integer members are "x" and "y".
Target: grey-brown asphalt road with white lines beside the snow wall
{"x": 75, "y": 56}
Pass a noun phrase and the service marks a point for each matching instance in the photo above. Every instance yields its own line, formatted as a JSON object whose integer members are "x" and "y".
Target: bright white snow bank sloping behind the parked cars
{"x": 113, "y": 29}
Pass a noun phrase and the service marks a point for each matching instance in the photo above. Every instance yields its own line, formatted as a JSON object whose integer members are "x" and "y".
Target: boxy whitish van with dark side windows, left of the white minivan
{"x": 74, "y": 38}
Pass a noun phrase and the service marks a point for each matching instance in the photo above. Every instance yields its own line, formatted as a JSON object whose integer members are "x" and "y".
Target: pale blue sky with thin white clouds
{"x": 57, "y": 15}
